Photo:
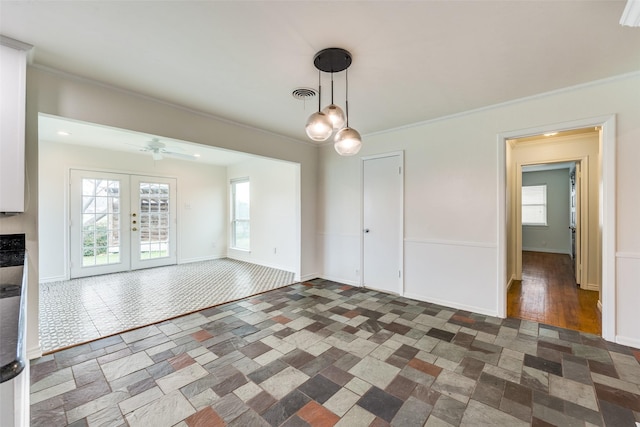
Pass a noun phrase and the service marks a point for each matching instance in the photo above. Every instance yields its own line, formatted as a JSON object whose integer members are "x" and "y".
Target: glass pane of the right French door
{"x": 154, "y": 220}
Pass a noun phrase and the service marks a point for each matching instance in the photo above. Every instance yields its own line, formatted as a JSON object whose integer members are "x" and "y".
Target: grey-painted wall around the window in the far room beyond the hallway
{"x": 555, "y": 237}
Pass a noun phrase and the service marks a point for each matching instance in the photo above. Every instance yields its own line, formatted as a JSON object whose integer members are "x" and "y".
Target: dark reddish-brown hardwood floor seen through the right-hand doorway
{"x": 548, "y": 294}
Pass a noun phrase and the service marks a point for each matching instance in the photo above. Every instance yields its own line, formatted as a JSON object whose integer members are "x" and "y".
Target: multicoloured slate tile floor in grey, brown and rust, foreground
{"x": 323, "y": 354}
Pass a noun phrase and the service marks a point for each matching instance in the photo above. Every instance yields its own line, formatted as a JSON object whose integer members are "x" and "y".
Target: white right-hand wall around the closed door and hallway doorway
{"x": 452, "y": 182}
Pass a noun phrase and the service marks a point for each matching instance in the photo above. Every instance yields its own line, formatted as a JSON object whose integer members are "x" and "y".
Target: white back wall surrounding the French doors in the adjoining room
{"x": 201, "y": 227}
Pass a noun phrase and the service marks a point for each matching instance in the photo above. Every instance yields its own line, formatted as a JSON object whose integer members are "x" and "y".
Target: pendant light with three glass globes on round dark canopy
{"x": 321, "y": 124}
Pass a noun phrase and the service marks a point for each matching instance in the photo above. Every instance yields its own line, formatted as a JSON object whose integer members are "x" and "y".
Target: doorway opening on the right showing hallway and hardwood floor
{"x": 543, "y": 289}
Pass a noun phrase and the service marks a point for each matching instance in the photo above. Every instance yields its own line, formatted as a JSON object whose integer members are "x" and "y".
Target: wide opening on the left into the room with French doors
{"x": 113, "y": 203}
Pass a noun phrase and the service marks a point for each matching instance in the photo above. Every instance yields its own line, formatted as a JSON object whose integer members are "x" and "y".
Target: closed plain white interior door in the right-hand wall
{"x": 383, "y": 223}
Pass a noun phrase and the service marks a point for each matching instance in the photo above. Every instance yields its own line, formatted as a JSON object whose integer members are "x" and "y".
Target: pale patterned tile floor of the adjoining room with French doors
{"x": 81, "y": 310}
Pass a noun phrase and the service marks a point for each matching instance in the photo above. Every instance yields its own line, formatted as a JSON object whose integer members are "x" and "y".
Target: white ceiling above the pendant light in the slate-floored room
{"x": 412, "y": 60}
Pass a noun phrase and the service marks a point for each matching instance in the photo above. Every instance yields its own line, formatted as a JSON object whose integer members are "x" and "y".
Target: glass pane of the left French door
{"x": 100, "y": 222}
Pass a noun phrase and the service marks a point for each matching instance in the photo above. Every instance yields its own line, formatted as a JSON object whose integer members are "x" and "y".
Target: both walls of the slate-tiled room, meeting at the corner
{"x": 450, "y": 164}
